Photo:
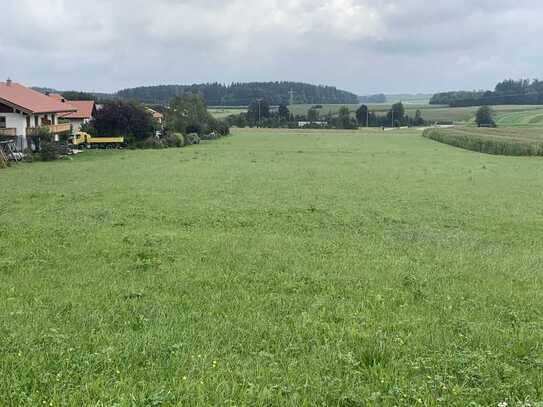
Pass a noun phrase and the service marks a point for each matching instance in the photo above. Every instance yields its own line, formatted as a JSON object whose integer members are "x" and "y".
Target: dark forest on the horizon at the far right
{"x": 508, "y": 92}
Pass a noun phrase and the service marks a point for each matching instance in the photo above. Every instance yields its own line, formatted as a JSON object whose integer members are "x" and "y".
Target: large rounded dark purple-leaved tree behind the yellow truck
{"x": 124, "y": 119}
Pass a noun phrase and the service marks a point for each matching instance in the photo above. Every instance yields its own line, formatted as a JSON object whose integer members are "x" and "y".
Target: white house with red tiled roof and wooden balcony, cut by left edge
{"x": 23, "y": 112}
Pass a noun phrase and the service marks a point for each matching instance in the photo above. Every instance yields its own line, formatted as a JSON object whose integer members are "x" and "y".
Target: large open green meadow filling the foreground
{"x": 295, "y": 268}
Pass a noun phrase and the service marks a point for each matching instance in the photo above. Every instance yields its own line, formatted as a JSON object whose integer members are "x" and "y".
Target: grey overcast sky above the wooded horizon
{"x": 365, "y": 46}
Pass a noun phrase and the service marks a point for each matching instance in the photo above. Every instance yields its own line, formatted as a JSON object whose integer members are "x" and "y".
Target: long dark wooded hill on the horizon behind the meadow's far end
{"x": 242, "y": 94}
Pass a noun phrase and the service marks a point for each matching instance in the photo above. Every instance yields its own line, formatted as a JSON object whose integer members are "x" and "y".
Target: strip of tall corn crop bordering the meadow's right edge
{"x": 513, "y": 142}
